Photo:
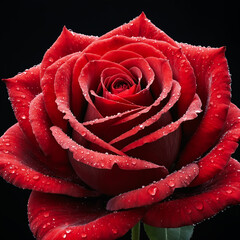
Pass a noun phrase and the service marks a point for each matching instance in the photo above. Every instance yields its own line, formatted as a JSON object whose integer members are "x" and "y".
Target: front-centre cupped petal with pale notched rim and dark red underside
{"x": 110, "y": 174}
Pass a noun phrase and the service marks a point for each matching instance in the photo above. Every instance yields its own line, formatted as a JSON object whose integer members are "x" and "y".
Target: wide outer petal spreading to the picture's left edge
{"x": 20, "y": 164}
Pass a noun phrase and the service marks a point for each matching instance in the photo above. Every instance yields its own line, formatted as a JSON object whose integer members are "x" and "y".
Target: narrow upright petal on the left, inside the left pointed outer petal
{"x": 56, "y": 158}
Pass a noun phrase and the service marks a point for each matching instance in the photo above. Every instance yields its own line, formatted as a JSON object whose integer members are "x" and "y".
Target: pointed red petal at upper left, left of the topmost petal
{"x": 67, "y": 43}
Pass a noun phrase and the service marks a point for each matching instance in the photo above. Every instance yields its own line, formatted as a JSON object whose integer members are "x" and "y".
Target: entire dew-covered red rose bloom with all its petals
{"x": 120, "y": 128}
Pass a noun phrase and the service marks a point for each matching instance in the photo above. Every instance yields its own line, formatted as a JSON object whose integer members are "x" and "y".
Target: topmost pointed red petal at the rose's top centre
{"x": 140, "y": 27}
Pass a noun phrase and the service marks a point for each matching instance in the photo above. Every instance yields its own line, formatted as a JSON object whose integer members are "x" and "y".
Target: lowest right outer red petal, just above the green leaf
{"x": 199, "y": 204}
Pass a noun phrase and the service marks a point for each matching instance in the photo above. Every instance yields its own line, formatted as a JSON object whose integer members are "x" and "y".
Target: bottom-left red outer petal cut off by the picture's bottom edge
{"x": 54, "y": 217}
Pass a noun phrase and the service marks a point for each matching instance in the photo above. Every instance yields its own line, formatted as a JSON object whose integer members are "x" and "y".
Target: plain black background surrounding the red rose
{"x": 28, "y": 28}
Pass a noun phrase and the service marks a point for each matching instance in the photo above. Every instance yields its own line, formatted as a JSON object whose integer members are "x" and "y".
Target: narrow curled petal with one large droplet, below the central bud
{"x": 156, "y": 191}
